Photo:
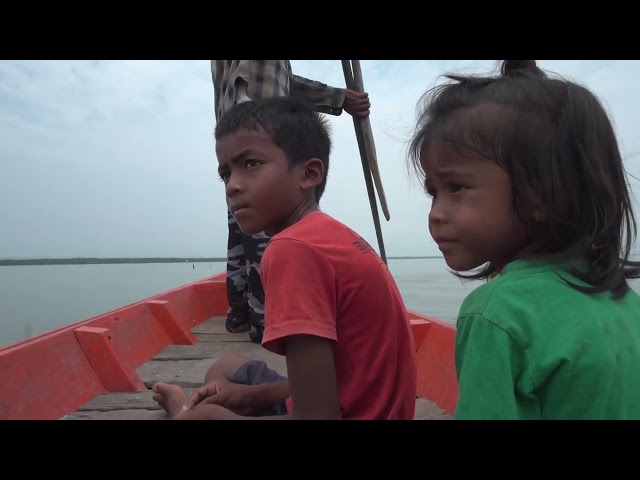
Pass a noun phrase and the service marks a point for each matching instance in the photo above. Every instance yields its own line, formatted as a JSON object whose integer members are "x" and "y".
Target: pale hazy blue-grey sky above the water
{"x": 116, "y": 158}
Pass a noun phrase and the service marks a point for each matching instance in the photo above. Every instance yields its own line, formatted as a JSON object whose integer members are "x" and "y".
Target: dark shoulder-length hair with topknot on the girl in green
{"x": 555, "y": 141}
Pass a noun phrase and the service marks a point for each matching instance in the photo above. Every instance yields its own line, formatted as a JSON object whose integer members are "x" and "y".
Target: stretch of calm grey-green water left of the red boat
{"x": 35, "y": 299}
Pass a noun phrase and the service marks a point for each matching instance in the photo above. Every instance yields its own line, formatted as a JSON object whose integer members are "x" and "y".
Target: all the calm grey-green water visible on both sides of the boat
{"x": 36, "y": 299}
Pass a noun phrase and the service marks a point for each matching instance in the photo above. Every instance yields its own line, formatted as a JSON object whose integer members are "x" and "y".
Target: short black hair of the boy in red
{"x": 293, "y": 125}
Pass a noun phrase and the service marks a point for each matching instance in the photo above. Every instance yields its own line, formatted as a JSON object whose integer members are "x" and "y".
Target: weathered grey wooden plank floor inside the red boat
{"x": 186, "y": 365}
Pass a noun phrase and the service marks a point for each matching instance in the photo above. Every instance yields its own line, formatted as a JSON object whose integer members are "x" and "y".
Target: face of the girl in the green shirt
{"x": 471, "y": 217}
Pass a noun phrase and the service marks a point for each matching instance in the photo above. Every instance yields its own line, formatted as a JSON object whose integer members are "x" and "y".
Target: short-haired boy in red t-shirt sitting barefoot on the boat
{"x": 332, "y": 307}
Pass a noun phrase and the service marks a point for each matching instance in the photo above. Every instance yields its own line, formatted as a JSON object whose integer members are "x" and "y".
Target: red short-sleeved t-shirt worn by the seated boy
{"x": 321, "y": 278}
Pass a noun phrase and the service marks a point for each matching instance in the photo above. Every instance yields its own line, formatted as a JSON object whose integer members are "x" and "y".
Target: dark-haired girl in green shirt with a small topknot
{"x": 528, "y": 187}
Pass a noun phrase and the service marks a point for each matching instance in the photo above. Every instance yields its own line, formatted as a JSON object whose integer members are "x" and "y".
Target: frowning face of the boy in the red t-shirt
{"x": 262, "y": 191}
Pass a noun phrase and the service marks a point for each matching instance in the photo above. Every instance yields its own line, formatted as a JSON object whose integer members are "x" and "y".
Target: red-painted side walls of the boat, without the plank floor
{"x": 52, "y": 374}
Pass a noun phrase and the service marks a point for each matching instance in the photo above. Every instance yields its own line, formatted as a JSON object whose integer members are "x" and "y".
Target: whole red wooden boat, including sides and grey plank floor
{"x": 103, "y": 367}
